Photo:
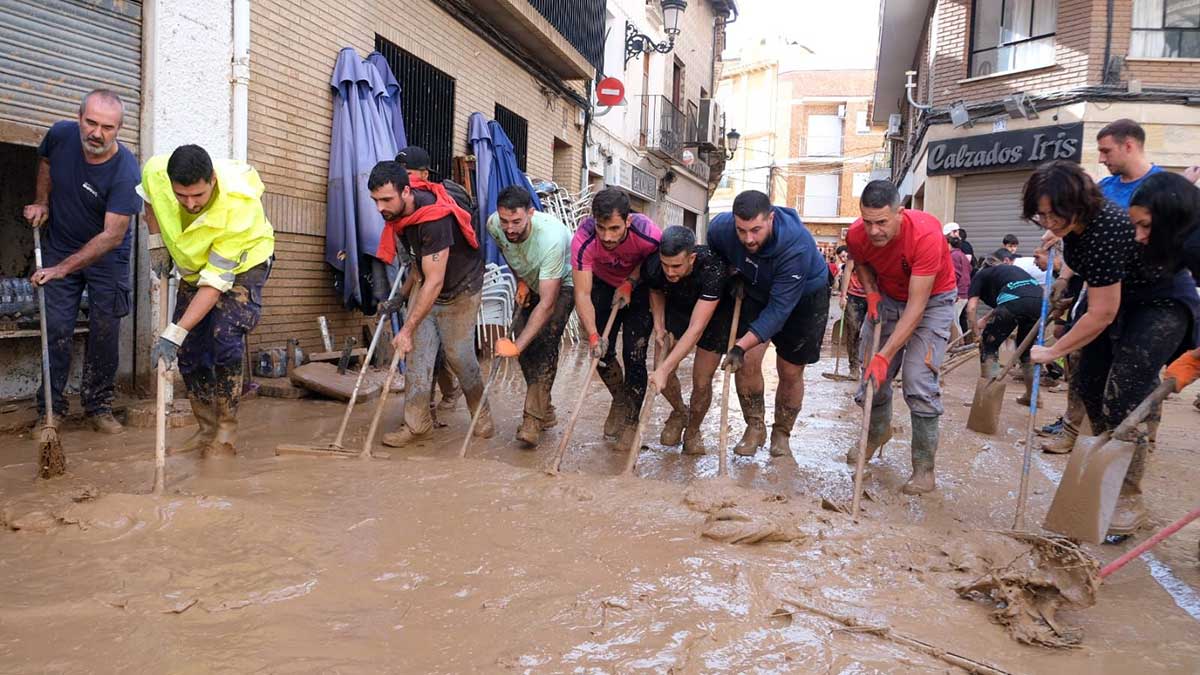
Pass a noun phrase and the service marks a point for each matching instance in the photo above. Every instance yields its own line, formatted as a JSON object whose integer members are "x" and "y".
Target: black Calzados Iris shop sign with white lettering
{"x": 1006, "y": 151}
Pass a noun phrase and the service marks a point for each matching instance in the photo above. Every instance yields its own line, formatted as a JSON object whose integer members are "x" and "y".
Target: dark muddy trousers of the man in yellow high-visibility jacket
{"x": 212, "y": 357}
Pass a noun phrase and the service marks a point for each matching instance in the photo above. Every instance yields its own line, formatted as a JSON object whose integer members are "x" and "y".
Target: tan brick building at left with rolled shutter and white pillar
{"x": 253, "y": 81}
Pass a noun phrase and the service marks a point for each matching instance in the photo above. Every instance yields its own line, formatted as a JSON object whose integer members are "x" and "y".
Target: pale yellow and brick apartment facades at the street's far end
{"x": 807, "y": 135}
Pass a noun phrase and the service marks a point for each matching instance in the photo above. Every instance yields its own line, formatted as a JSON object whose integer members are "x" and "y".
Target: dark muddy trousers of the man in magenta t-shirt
{"x": 634, "y": 324}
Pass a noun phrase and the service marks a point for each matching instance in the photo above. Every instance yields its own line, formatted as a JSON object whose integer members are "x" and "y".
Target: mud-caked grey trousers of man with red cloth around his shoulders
{"x": 451, "y": 325}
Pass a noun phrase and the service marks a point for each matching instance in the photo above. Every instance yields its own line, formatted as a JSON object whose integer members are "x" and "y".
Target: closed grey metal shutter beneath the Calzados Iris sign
{"x": 988, "y": 206}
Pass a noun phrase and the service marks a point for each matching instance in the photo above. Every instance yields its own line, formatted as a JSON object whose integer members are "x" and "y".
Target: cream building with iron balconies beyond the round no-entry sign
{"x": 664, "y": 146}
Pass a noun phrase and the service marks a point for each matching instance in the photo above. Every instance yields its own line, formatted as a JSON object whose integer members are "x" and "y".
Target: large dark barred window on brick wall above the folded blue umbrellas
{"x": 427, "y": 100}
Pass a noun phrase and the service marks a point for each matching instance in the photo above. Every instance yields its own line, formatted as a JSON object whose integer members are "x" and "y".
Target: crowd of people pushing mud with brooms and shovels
{"x": 1126, "y": 255}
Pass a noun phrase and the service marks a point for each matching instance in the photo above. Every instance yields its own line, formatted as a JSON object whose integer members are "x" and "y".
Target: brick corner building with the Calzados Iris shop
{"x": 1001, "y": 87}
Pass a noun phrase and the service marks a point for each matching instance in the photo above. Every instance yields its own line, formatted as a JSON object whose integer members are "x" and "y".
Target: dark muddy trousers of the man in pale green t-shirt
{"x": 539, "y": 361}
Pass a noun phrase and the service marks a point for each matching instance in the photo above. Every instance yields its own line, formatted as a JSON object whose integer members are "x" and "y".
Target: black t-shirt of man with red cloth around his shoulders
{"x": 465, "y": 270}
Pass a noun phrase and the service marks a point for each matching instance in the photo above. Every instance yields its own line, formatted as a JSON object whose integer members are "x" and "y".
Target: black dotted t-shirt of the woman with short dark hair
{"x": 1106, "y": 253}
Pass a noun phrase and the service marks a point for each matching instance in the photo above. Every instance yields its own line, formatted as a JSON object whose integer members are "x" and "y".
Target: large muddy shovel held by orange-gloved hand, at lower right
{"x": 1088, "y": 493}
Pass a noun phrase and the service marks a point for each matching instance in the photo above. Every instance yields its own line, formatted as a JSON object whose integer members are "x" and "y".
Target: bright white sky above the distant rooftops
{"x": 839, "y": 32}
